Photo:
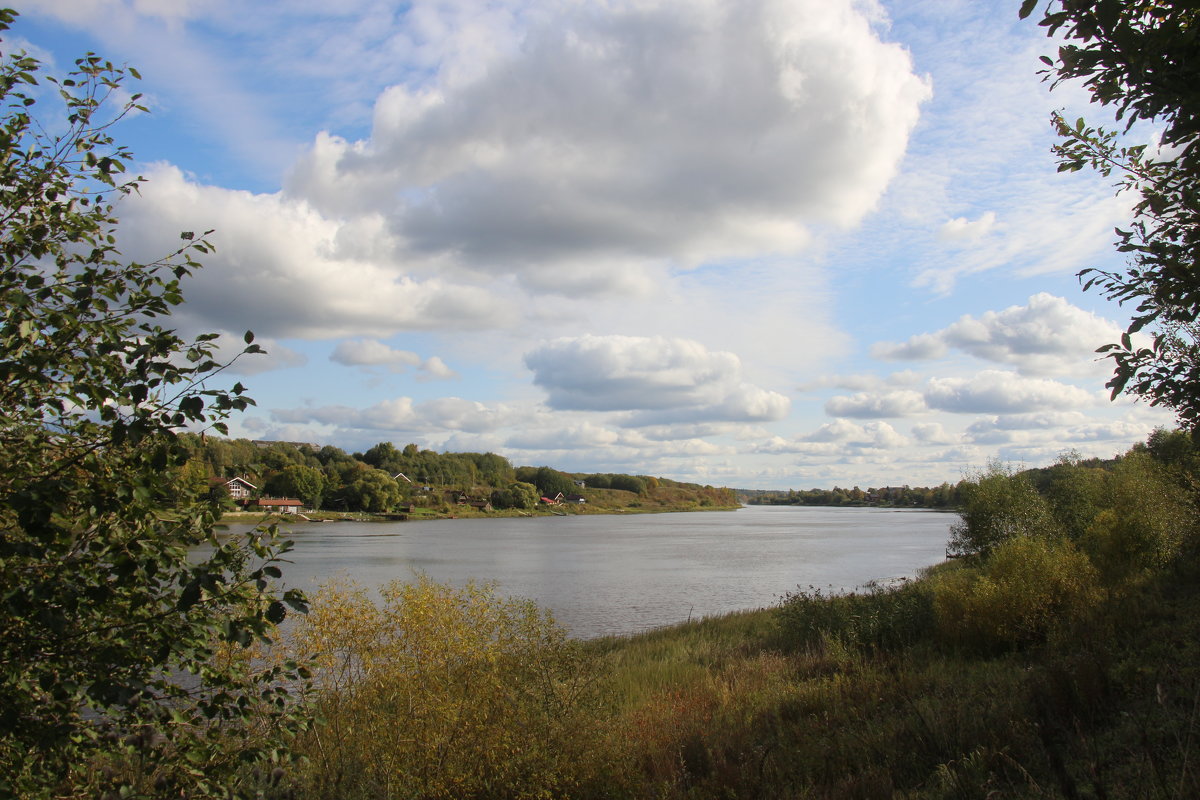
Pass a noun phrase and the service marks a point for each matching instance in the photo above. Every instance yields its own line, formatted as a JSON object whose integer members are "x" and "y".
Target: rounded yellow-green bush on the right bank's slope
{"x": 1027, "y": 587}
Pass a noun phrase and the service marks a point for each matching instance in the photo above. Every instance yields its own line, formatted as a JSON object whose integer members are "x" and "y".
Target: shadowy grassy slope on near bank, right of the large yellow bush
{"x": 754, "y": 705}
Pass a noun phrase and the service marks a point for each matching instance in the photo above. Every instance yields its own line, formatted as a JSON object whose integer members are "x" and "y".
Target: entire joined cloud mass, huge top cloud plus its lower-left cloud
{"x": 595, "y": 151}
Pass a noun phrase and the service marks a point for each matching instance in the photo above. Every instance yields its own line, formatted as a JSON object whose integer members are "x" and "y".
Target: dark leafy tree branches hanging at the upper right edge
{"x": 1142, "y": 58}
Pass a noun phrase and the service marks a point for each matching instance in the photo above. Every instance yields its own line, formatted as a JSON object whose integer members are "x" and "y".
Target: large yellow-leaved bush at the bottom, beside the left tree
{"x": 445, "y": 693}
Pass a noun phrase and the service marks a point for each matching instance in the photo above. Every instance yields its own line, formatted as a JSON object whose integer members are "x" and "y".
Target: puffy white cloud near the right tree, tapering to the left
{"x": 1048, "y": 336}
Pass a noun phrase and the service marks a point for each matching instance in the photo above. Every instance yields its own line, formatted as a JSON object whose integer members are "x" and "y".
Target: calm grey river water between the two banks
{"x": 613, "y": 574}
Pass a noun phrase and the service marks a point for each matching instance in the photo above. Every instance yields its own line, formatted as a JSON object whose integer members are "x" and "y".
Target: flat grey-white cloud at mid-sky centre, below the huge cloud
{"x": 664, "y": 380}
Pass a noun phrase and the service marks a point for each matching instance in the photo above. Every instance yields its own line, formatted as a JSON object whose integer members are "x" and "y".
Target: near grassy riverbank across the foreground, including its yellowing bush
{"x": 861, "y": 696}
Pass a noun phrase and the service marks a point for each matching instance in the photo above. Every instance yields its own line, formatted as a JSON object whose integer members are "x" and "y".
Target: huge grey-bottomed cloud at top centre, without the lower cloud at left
{"x": 632, "y": 134}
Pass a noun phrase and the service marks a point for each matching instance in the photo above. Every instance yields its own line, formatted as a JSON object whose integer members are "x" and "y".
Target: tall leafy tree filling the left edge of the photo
{"x": 123, "y": 617}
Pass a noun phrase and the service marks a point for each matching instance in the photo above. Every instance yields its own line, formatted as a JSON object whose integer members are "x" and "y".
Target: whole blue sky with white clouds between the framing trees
{"x": 760, "y": 244}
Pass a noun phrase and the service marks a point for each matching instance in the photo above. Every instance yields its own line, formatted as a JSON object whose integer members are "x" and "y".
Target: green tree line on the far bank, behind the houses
{"x": 386, "y": 478}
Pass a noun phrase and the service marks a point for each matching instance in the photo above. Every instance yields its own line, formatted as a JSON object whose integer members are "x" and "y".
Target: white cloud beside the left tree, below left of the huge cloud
{"x": 289, "y": 269}
